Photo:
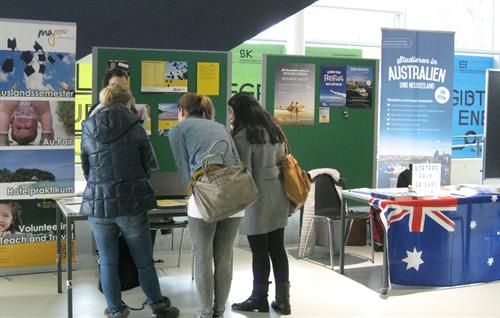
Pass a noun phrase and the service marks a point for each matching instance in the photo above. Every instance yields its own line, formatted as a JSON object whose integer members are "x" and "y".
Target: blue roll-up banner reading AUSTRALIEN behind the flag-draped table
{"x": 416, "y": 102}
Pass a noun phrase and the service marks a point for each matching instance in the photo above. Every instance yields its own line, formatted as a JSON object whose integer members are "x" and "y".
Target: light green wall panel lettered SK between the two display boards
{"x": 247, "y": 66}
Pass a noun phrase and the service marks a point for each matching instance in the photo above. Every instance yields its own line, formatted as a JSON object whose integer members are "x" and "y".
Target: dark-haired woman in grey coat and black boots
{"x": 260, "y": 143}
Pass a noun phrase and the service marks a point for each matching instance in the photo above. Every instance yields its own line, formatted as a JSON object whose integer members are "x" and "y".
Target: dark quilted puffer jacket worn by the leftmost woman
{"x": 116, "y": 160}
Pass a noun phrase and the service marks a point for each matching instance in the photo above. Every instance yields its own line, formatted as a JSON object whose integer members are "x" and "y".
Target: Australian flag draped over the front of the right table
{"x": 442, "y": 242}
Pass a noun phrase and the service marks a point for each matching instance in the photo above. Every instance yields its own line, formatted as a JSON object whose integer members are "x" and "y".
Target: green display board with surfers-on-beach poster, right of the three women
{"x": 347, "y": 142}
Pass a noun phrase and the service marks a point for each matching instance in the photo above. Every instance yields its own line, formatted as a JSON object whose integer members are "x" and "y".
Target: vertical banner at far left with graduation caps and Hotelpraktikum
{"x": 37, "y": 131}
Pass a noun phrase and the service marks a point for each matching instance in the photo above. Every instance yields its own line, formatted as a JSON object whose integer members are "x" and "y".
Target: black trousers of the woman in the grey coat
{"x": 268, "y": 245}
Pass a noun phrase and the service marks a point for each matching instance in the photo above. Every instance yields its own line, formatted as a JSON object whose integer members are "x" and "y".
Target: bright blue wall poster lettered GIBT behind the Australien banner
{"x": 469, "y": 97}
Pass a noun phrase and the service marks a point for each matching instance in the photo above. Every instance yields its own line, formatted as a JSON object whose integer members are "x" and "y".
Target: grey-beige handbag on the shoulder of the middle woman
{"x": 226, "y": 191}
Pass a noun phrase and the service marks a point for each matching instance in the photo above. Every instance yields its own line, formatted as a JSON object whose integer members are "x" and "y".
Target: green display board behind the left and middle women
{"x": 134, "y": 57}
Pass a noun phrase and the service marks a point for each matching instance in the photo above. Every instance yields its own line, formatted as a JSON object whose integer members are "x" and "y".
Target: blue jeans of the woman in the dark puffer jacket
{"x": 135, "y": 230}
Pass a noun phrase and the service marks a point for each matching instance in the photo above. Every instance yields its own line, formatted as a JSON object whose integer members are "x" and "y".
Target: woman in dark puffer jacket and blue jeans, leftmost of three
{"x": 117, "y": 158}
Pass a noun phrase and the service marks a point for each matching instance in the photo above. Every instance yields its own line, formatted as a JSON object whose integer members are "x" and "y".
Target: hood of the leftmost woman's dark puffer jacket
{"x": 111, "y": 122}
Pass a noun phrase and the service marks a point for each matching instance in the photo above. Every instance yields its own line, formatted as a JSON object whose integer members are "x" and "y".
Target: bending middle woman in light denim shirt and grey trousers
{"x": 190, "y": 141}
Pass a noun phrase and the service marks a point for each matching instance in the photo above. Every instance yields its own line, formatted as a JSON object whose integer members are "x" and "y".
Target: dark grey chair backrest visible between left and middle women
{"x": 168, "y": 184}
